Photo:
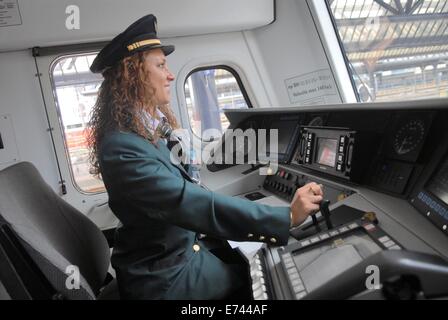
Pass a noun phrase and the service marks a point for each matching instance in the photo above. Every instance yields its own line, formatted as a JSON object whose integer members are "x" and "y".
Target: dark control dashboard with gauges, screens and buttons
{"x": 388, "y": 198}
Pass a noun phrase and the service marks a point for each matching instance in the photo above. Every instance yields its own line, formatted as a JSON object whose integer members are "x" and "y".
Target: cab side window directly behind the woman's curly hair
{"x": 76, "y": 90}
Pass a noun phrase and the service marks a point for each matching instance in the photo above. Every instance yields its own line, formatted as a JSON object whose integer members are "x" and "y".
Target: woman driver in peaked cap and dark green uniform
{"x": 157, "y": 252}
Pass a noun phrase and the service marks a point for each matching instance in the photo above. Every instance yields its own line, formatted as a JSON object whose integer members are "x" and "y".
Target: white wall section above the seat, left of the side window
{"x": 21, "y": 101}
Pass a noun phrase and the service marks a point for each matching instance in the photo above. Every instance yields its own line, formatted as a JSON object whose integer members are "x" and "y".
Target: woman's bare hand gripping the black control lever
{"x": 305, "y": 202}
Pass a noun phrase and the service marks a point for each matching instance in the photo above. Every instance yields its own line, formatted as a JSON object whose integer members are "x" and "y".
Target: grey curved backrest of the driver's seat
{"x": 56, "y": 235}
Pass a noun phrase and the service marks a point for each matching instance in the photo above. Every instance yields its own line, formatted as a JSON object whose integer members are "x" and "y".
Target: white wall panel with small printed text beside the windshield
{"x": 289, "y": 52}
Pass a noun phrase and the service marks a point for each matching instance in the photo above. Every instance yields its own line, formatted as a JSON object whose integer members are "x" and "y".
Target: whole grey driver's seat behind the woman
{"x": 42, "y": 237}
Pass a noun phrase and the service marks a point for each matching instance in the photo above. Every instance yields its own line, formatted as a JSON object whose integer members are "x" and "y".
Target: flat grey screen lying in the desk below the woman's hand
{"x": 318, "y": 265}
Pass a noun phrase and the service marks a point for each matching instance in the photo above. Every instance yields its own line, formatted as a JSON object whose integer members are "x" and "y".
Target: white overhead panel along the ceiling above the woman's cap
{"x": 44, "y": 22}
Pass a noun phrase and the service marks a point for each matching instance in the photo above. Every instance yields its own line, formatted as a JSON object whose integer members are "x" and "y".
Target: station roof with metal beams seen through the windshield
{"x": 393, "y": 31}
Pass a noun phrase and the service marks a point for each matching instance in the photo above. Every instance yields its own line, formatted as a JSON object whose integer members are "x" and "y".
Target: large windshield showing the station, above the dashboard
{"x": 395, "y": 49}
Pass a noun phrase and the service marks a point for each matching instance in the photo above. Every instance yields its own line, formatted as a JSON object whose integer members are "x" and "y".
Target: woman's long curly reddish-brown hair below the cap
{"x": 124, "y": 93}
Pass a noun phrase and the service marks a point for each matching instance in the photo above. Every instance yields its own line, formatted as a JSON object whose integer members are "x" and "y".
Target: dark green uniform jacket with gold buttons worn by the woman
{"x": 161, "y": 212}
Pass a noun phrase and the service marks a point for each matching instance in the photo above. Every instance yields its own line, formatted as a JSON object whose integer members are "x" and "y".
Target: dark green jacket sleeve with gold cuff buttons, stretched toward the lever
{"x": 137, "y": 172}
